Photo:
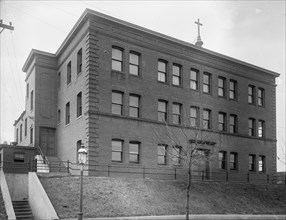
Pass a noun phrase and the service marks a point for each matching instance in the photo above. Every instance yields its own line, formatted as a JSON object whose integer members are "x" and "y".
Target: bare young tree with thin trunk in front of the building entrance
{"x": 189, "y": 148}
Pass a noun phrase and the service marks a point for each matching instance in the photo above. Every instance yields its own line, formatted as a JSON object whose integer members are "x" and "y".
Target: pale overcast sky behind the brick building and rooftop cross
{"x": 251, "y": 31}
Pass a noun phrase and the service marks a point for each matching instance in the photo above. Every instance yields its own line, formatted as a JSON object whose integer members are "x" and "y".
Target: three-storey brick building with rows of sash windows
{"x": 114, "y": 86}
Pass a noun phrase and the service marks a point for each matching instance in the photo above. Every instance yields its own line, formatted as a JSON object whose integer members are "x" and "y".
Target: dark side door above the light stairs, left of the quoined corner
{"x": 47, "y": 141}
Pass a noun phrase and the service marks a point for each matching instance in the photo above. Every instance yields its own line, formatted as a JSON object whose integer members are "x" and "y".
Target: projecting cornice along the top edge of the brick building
{"x": 88, "y": 12}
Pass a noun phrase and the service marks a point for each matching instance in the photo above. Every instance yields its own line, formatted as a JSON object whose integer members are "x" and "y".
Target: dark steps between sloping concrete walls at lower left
{"x": 22, "y": 210}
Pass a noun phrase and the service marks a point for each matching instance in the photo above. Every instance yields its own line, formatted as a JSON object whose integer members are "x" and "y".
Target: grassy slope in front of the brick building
{"x": 106, "y": 197}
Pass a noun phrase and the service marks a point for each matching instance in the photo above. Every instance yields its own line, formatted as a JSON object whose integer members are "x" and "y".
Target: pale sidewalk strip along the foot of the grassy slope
{"x": 192, "y": 217}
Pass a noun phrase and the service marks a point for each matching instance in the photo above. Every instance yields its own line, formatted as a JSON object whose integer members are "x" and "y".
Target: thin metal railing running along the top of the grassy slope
{"x": 146, "y": 172}
